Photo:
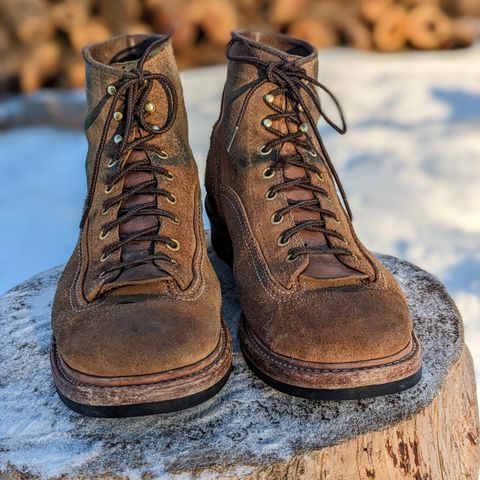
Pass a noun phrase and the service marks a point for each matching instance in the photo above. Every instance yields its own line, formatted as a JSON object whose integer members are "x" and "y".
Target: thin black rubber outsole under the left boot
{"x": 120, "y": 411}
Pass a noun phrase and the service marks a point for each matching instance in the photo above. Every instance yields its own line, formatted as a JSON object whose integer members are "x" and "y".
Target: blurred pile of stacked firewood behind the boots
{"x": 41, "y": 40}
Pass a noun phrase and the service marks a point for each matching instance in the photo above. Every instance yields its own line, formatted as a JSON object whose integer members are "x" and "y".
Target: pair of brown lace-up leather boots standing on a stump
{"x": 136, "y": 320}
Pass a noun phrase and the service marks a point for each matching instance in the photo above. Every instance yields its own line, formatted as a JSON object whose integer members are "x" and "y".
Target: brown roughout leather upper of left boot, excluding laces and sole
{"x": 153, "y": 317}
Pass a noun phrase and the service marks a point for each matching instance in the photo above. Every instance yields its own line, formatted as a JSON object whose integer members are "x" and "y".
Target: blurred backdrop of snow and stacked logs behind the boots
{"x": 407, "y": 73}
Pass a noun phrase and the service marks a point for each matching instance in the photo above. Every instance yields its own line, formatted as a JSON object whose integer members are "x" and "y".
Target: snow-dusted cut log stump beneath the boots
{"x": 429, "y": 432}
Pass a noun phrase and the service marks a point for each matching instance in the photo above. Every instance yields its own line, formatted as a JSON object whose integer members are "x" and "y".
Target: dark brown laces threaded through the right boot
{"x": 292, "y": 80}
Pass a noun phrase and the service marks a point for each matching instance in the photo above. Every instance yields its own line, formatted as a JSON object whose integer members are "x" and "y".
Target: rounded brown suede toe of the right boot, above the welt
{"x": 337, "y": 325}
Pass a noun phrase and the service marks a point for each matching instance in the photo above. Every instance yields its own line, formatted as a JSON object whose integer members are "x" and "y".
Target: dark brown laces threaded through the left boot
{"x": 134, "y": 88}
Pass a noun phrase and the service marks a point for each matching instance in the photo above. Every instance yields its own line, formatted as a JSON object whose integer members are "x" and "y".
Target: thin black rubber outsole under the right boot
{"x": 336, "y": 394}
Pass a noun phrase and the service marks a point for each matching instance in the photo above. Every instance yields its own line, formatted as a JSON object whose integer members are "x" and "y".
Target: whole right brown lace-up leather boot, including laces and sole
{"x": 322, "y": 318}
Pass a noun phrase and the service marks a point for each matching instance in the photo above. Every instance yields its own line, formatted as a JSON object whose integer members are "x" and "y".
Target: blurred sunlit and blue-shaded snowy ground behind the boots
{"x": 410, "y": 164}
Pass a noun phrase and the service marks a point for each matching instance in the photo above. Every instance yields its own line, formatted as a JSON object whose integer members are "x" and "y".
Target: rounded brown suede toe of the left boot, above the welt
{"x": 134, "y": 335}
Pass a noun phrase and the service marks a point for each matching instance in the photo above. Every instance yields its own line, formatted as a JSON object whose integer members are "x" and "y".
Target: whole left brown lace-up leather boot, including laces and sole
{"x": 136, "y": 318}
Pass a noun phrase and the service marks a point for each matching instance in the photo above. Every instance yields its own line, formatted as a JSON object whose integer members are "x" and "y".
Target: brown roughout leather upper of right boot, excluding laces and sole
{"x": 350, "y": 308}
